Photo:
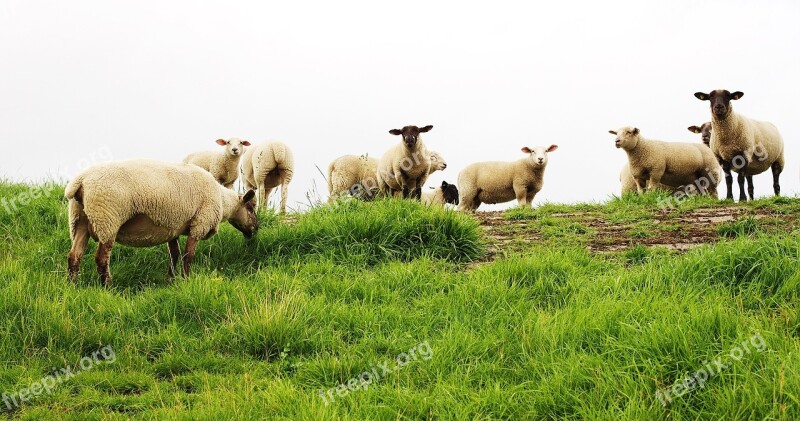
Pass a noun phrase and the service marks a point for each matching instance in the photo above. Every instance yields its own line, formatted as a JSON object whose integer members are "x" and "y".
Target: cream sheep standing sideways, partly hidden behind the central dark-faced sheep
{"x": 356, "y": 175}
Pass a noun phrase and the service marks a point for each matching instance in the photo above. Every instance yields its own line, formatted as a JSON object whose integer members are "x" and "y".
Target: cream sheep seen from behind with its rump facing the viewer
{"x": 266, "y": 166}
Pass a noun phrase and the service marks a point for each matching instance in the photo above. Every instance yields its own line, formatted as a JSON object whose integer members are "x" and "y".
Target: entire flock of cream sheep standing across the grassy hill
{"x": 142, "y": 203}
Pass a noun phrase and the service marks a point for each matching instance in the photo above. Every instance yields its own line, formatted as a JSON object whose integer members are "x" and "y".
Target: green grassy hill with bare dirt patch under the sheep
{"x": 391, "y": 310}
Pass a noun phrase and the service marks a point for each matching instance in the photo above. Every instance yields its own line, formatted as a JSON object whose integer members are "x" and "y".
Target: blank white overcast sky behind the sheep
{"x": 156, "y": 79}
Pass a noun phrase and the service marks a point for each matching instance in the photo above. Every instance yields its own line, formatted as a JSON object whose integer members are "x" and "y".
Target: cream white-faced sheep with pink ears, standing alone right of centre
{"x": 497, "y": 182}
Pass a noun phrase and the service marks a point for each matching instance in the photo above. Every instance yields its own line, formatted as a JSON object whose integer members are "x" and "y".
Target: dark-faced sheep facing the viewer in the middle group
{"x": 405, "y": 167}
